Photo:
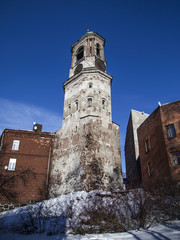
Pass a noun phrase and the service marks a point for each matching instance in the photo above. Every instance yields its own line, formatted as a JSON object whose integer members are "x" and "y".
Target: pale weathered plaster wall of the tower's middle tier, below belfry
{"x": 78, "y": 90}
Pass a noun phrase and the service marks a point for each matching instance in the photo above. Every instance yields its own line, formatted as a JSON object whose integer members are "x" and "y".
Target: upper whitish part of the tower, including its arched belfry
{"x": 88, "y": 89}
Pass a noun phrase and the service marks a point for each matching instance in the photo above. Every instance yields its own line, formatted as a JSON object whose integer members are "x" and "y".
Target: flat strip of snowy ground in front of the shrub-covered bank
{"x": 169, "y": 231}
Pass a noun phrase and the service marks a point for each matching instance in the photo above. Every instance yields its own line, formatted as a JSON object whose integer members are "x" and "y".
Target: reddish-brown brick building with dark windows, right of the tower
{"x": 159, "y": 145}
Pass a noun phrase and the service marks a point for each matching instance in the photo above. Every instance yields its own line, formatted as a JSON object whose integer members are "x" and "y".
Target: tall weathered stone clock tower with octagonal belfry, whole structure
{"x": 86, "y": 154}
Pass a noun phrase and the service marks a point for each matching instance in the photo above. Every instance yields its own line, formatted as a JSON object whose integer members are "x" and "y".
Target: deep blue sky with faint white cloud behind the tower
{"x": 142, "y": 53}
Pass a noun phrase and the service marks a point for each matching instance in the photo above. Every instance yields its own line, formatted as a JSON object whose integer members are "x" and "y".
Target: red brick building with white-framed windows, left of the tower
{"x": 24, "y": 165}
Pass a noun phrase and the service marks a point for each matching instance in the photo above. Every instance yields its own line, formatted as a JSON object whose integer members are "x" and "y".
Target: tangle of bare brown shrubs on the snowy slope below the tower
{"x": 116, "y": 212}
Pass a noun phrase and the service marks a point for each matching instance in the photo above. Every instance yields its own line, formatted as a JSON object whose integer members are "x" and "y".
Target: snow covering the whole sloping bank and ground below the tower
{"x": 57, "y": 219}
